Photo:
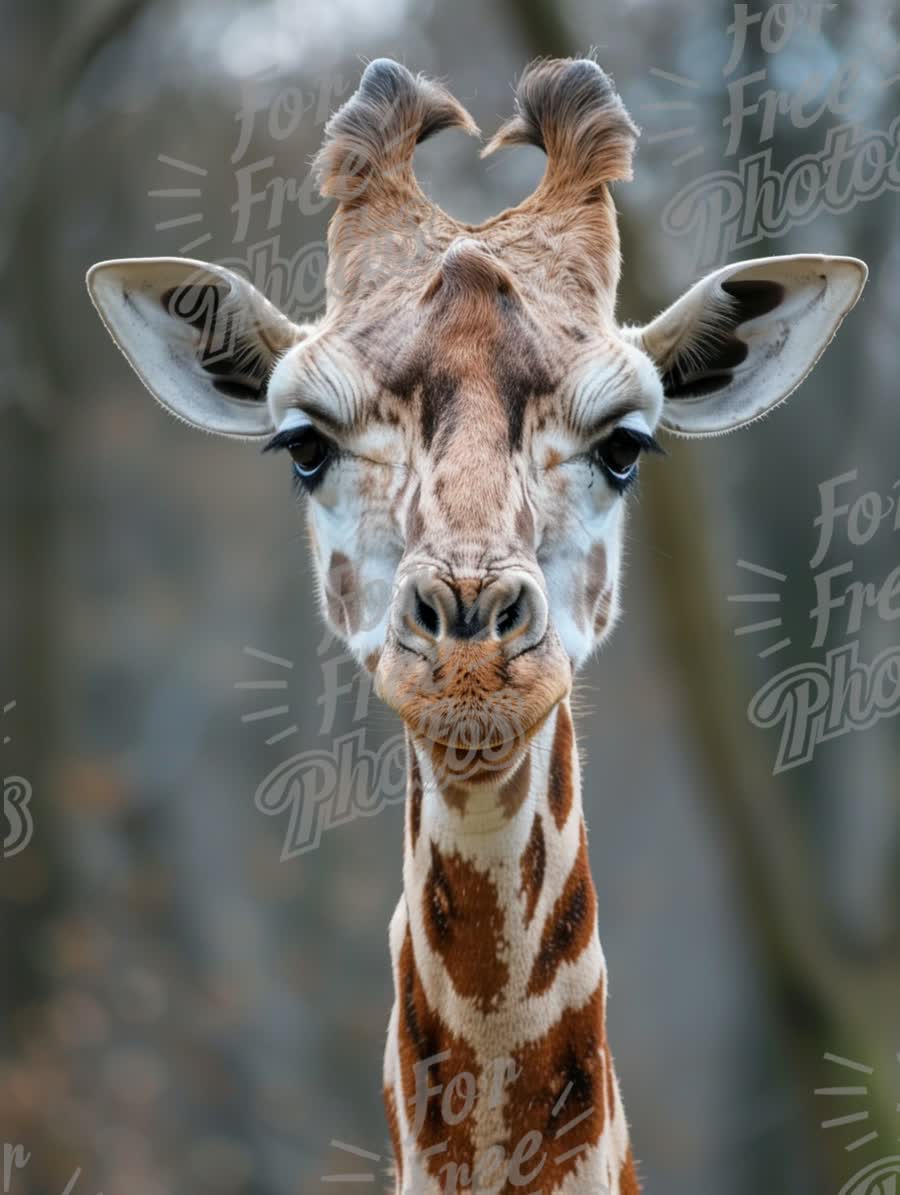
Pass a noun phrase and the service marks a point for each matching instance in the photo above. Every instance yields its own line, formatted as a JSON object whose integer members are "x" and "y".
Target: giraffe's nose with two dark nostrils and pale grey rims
{"x": 436, "y": 612}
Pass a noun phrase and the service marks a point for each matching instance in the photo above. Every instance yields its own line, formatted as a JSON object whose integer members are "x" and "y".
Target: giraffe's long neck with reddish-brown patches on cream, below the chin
{"x": 498, "y": 1071}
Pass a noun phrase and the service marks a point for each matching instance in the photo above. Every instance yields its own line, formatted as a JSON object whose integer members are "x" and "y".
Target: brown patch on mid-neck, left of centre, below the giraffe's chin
{"x": 464, "y": 924}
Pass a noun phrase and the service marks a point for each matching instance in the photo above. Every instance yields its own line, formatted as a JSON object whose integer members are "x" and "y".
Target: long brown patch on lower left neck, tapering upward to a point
{"x": 423, "y": 1037}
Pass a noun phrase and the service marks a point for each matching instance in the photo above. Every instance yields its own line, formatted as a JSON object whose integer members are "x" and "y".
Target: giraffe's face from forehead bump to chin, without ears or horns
{"x": 467, "y": 450}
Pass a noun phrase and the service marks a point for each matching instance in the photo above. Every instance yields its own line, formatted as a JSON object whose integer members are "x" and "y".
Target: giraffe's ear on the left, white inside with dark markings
{"x": 203, "y": 340}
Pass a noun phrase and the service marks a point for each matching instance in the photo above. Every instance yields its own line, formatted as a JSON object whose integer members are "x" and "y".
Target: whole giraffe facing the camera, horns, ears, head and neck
{"x": 466, "y": 424}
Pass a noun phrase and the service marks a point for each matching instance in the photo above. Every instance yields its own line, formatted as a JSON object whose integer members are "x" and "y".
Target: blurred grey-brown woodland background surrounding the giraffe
{"x": 183, "y": 1010}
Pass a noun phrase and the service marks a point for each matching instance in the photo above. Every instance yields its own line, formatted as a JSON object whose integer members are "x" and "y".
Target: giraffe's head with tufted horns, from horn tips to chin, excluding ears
{"x": 458, "y": 402}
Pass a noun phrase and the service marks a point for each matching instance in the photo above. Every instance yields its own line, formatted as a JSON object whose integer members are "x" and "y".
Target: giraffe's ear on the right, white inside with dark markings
{"x": 743, "y": 340}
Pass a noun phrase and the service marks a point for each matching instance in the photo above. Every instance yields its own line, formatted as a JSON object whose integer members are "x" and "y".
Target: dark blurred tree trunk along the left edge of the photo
{"x": 34, "y": 883}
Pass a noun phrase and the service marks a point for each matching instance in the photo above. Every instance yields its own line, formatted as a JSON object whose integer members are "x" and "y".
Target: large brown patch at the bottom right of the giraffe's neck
{"x": 561, "y": 1084}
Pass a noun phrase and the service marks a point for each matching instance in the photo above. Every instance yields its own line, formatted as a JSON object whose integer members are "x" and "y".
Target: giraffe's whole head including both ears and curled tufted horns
{"x": 468, "y": 418}
